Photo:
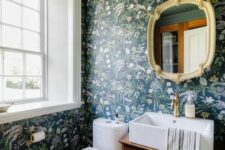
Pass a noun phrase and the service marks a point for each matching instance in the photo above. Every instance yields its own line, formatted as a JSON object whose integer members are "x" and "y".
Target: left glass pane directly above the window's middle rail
{"x": 11, "y": 37}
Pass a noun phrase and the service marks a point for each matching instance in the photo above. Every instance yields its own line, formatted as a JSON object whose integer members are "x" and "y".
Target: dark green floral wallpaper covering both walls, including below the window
{"x": 118, "y": 79}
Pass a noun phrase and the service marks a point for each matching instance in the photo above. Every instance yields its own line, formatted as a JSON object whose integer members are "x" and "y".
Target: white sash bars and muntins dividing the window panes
{"x": 42, "y": 51}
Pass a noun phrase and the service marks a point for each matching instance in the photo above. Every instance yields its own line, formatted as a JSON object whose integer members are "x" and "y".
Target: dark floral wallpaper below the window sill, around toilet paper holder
{"x": 64, "y": 130}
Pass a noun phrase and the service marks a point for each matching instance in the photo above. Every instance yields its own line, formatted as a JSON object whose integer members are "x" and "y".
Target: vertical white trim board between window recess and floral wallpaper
{"x": 74, "y": 43}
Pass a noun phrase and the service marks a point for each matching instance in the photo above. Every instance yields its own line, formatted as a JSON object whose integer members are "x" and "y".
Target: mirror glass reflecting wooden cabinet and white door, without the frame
{"x": 181, "y": 39}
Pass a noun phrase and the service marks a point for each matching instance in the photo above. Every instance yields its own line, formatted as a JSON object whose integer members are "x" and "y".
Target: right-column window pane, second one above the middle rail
{"x": 31, "y": 19}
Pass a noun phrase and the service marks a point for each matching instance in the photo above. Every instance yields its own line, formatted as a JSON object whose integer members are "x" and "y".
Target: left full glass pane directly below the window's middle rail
{"x": 13, "y": 63}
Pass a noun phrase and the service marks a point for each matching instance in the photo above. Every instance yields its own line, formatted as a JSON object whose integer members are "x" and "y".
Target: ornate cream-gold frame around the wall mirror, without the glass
{"x": 207, "y": 7}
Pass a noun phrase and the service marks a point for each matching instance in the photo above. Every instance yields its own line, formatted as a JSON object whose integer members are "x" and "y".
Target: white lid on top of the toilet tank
{"x": 109, "y": 123}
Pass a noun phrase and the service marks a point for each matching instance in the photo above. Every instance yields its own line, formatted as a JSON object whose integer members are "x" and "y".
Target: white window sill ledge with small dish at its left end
{"x": 25, "y": 111}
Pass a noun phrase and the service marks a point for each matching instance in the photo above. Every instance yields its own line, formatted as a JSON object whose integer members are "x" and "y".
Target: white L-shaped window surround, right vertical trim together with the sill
{"x": 29, "y": 110}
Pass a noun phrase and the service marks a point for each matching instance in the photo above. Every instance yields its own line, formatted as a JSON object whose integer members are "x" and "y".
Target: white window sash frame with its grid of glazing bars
{"x": 42, "y": 53}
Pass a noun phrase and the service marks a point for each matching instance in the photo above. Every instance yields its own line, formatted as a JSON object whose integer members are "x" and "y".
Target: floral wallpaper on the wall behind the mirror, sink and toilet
{"x": 116, "y": 74}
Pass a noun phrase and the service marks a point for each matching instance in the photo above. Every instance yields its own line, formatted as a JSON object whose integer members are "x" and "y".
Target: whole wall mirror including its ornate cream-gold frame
{"x": 181, "y": 39}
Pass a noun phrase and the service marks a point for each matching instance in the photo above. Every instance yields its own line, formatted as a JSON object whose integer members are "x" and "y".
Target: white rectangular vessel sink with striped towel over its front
{"x": 151, "y": 129}
